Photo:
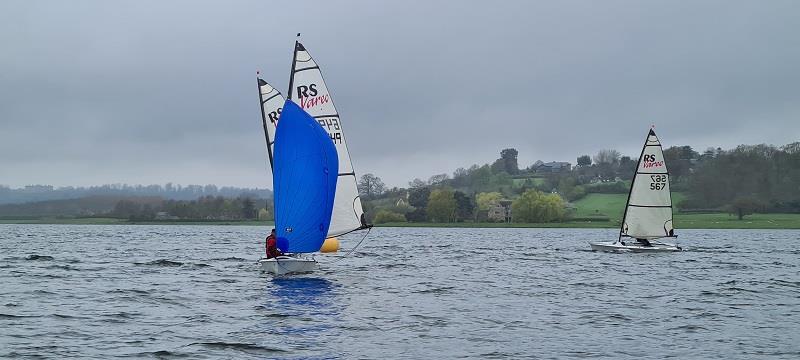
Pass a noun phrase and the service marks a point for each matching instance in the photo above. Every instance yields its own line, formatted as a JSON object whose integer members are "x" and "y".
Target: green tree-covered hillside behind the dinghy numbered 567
{"x": 746, "y": 179}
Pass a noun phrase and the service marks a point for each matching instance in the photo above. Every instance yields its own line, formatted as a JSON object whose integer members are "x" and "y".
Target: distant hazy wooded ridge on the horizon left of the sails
{"x": 33, "y": 193}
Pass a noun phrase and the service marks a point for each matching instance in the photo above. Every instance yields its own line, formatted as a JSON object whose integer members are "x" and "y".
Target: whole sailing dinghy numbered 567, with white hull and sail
{"x": 648, "y": 212}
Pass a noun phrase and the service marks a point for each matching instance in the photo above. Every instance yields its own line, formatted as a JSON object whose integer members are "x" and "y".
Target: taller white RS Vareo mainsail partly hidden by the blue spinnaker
{"x": 308, "y": 90}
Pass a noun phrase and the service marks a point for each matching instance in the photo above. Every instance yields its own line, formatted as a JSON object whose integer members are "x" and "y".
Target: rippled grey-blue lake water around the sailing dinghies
{"x": 196, "y": 292}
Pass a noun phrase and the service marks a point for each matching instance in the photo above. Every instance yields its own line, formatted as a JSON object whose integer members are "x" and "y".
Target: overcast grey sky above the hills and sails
{"x": 95, "y": 92}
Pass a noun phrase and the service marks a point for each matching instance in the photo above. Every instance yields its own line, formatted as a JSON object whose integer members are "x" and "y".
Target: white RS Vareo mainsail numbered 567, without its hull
{"x": 648, "y": 214}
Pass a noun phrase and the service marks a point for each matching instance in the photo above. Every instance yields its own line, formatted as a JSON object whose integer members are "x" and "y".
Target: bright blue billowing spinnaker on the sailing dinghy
{"x": 304, "y": 175}
